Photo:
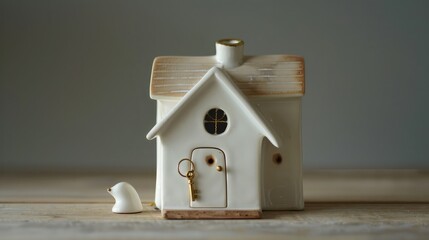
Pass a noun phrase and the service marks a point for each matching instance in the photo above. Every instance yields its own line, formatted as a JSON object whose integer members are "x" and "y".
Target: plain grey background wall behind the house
{"x": 75, "y": 76}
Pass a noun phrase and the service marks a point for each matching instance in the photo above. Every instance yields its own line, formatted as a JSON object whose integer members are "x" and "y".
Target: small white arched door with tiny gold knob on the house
{"x": 210, "y": 178}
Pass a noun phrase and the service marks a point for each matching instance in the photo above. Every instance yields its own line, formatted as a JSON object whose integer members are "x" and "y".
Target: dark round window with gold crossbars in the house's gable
{"x": 215, "y": 121}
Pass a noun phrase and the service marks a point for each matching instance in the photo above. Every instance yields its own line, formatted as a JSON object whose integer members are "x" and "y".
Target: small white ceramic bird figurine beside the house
{"x": 126, "y": 197}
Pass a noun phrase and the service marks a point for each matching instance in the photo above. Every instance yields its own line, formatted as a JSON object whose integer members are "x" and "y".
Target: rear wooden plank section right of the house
{"x": 362, "y": 185}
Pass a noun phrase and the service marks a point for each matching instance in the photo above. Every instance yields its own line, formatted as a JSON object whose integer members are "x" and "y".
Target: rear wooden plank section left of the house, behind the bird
{"x": 70, "y": 187}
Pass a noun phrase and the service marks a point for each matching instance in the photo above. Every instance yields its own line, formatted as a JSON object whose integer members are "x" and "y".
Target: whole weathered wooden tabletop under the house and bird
{"x": 339, "y": 205}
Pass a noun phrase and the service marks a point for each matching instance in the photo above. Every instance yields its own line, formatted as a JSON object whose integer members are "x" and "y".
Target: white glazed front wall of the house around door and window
{"x": 242, "y": 154}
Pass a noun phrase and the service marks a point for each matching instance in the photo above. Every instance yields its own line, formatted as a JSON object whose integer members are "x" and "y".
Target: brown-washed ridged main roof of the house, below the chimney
{"x": 269, "y": 75}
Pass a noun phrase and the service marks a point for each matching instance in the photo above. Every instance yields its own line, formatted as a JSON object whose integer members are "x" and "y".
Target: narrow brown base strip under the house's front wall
{"x": 211, "y": 214}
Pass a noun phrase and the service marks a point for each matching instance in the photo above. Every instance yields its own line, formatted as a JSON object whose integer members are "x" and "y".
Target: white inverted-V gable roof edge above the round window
{"x": 228, "y": 86}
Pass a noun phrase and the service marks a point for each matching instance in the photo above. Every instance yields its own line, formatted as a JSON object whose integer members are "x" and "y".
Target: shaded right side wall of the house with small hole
{"x": 282, "y": 179}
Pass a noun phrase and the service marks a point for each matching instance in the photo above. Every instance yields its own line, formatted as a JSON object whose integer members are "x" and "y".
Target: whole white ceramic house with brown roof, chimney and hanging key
{"x": 228, "y": 133}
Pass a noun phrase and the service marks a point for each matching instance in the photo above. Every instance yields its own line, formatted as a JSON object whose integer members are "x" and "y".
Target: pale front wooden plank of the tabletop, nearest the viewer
{"x": 318, "y": 220}
